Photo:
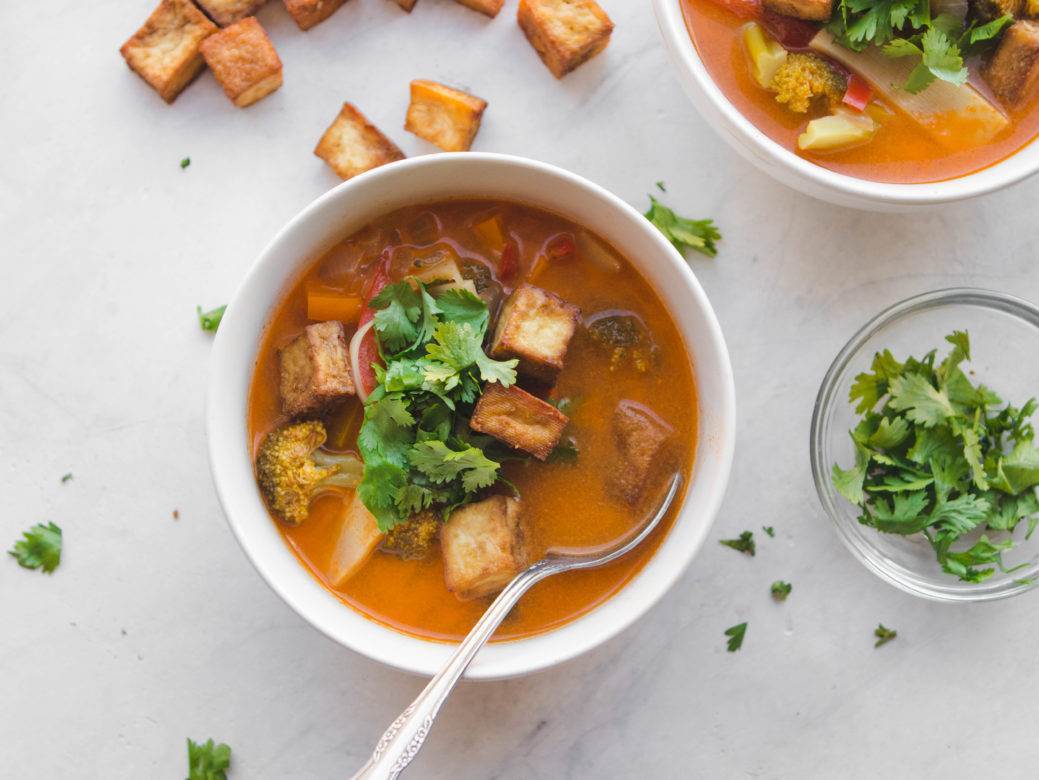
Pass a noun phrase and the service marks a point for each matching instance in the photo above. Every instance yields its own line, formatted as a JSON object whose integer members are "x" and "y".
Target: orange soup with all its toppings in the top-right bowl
{"x": 891, "y": 91}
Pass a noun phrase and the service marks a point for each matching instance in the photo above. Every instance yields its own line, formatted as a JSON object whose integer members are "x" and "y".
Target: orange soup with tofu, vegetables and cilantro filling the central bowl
{"x": 456, "y": 389}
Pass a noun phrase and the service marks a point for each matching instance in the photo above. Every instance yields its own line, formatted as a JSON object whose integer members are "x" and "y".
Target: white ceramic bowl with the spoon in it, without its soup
{"x": 341, "y": 212}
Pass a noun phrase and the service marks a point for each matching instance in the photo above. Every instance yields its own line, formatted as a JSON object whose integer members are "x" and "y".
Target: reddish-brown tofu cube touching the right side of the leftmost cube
{"x": 244, "y": 62}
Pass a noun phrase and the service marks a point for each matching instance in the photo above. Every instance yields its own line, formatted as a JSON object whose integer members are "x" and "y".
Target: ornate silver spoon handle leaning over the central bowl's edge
{"x": 404, "y": 740}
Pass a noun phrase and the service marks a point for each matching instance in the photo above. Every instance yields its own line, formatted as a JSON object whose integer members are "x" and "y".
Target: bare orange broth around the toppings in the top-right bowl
{"x": 900, "y": 152}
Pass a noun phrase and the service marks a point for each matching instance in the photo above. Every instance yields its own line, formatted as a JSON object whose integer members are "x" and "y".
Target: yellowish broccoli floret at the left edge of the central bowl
{"x": 292, "y": 469}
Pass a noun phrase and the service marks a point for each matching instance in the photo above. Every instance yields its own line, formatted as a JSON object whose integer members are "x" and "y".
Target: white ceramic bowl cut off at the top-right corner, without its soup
{"x": 803, "y": 175}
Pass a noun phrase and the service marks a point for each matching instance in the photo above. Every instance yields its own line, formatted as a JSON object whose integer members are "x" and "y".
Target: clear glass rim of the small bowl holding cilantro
{"x": 830, "y": 395}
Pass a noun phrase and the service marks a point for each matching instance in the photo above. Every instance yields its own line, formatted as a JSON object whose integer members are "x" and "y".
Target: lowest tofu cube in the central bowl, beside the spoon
{"x": 485, "y": 547}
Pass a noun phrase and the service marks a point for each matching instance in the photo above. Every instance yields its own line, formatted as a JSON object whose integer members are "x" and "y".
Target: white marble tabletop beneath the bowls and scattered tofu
{"x": 155, "y": 630}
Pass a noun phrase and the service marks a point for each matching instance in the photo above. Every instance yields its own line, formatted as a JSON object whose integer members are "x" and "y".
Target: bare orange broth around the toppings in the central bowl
{"x": 566, "y": 501}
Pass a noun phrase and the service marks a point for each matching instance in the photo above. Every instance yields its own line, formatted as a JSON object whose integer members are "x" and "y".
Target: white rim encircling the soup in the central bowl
{"x": 229, "y": 460}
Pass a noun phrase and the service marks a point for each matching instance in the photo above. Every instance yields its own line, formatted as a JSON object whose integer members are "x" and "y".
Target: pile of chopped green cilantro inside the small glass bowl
{"x": 938, "y": 455}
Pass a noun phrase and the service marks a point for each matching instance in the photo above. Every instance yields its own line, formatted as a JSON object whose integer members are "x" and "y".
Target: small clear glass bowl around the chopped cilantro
{"x": 1005, "y": 347}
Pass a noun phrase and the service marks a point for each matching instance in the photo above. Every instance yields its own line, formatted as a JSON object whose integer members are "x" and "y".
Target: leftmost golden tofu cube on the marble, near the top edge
{"x": 165, "y": 51}
